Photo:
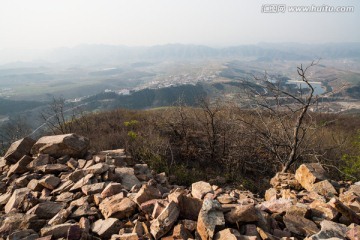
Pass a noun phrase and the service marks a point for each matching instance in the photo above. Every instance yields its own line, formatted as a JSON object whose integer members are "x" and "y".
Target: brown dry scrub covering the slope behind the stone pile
{"x": 212, "y": 141}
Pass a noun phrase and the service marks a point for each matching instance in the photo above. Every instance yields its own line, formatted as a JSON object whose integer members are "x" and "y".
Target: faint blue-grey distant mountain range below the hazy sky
{"x": 107, "y": 54}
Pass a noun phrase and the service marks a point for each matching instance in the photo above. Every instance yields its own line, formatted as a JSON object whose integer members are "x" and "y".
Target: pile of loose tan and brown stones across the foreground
{"x": 55, "y": 189}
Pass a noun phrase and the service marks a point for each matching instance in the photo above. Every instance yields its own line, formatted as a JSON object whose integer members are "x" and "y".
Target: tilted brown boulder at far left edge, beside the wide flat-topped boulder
{"x": 18, "y": 149}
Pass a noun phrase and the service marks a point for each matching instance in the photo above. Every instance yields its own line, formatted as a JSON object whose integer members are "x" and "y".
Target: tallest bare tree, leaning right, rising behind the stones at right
{"x": 282, "y": 120}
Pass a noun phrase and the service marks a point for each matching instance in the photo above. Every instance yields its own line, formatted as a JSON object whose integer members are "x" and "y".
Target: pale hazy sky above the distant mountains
{"x": 40, "y": 24}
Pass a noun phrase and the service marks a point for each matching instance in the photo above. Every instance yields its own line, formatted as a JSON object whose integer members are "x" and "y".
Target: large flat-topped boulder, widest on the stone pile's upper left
{"x": 60, "y": 145}
